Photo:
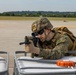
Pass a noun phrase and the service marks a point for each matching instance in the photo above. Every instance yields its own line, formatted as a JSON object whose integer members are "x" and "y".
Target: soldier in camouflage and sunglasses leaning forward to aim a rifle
{"x": 52, "y": 45}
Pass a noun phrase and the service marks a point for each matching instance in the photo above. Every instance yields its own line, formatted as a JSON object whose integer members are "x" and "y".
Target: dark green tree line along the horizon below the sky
{"x": 39, "y": 13}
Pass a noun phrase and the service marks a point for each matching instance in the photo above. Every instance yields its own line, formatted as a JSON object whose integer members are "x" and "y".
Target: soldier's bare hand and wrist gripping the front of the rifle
{"x": 31, "y": 48}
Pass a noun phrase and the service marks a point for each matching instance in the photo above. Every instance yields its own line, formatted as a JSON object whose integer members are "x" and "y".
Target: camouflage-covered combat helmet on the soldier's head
{"x": 40, "y": 24}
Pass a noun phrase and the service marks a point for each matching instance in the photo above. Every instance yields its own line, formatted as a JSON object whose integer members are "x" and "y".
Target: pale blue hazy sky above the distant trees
{"x": 37, "y": 5}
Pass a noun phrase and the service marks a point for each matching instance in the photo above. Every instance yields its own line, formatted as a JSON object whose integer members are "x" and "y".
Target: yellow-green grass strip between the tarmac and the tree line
{"x": 35, "y": 18}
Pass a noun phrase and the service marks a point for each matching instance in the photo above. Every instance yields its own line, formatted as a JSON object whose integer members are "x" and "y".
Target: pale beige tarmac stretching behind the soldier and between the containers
{"x": 13, "y": 32}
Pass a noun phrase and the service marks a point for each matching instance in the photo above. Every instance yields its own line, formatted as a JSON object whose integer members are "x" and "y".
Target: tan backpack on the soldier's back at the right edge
{"x": 69, "y": 33}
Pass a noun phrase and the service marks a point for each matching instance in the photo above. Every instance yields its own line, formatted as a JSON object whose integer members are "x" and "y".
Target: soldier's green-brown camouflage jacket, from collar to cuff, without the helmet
{"x": 60, "y": 44}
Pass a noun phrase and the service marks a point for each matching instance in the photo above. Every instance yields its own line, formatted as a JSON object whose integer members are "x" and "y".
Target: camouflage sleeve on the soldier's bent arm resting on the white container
{"x": 58, "y": 51}
